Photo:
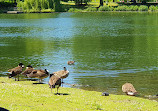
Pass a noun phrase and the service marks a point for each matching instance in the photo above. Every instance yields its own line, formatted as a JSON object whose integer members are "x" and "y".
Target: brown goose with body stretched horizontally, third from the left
{"x": 40, "y": 74}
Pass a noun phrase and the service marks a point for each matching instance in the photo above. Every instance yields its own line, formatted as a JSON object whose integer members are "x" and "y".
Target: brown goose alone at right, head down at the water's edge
{"x": 129, "y": 89}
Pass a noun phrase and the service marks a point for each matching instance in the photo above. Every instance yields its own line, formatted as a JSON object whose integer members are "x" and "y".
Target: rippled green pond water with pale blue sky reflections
{"x": 110, "y": 49}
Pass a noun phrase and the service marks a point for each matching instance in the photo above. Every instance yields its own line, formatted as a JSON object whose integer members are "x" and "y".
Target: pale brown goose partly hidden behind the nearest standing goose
{"x": 62, "y": 73}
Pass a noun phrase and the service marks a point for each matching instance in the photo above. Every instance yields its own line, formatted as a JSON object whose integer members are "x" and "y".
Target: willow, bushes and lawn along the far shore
{"x": 72, "y": 6}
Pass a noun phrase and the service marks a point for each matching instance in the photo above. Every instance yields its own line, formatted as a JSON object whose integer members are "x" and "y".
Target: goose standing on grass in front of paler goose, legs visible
{"x": 54, "y": 81}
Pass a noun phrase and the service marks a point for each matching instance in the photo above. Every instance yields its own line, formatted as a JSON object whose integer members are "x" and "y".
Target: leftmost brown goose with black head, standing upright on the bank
{"x": 16, "y": 71}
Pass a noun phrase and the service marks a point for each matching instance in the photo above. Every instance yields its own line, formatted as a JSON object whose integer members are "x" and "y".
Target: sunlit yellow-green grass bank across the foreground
{"x": 23, "y": 95}
